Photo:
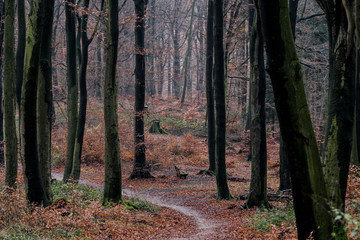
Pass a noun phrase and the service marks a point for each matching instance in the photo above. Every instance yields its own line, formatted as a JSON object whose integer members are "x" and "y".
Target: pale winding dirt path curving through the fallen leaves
{"x": 206, "y": 228}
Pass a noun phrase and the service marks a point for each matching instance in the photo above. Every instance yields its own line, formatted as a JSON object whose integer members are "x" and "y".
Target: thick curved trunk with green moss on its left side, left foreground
{"x": 34, "y": 187}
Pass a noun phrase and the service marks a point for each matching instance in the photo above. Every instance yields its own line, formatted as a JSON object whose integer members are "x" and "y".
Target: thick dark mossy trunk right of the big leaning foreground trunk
{"x": 339, "y": 126}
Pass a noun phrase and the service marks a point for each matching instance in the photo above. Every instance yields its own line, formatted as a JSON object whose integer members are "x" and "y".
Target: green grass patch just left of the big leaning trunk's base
{"x": 263, "y": 220}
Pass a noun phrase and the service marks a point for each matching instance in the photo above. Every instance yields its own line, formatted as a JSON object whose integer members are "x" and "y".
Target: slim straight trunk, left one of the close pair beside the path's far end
{"x": 72, "y": 98}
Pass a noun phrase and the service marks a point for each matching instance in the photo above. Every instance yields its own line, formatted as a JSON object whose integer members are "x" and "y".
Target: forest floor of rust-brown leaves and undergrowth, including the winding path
{"x": 164, "y": 207}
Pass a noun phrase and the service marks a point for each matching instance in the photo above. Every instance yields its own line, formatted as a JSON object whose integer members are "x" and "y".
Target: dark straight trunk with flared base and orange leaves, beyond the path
{"x": 139, "y": 170}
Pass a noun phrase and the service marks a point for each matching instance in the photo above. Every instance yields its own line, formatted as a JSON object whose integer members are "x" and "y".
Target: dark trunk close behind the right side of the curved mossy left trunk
{"x": 44, "y": 99}
